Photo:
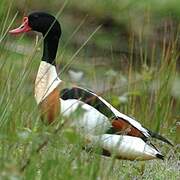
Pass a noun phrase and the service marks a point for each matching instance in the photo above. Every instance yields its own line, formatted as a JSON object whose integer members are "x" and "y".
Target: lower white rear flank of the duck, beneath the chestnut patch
{"x": 123, "y": 146}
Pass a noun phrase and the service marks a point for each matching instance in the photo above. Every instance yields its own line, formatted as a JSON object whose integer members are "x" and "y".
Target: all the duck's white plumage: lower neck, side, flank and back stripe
{"x": 92, "y": 124}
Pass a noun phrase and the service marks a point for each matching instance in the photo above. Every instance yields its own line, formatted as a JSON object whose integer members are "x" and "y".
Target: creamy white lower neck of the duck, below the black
{"x": 46, "y": 81}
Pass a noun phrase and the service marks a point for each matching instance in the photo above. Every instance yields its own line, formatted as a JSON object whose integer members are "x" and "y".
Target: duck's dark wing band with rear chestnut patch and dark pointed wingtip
{"x": 119, "y": 124}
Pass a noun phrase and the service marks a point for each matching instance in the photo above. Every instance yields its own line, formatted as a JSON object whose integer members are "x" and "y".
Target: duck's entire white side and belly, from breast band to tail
{"x": 93, "y": 126}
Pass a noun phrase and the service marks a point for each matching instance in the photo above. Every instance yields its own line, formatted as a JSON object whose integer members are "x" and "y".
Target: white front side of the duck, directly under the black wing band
{"x": 84, "y": 117}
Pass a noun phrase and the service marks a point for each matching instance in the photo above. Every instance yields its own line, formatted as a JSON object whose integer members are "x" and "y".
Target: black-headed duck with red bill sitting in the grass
{"x": 100, "y": 124}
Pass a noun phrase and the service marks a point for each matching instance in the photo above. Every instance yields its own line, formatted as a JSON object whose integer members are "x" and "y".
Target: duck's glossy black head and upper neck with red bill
{"x": 46, "y": 24}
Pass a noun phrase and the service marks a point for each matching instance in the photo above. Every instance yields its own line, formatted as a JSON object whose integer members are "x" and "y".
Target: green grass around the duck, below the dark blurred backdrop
{"x": 58, "y": 154}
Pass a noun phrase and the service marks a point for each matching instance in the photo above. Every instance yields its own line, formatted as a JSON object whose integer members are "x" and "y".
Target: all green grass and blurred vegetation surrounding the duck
{"x": 132, "y": 60}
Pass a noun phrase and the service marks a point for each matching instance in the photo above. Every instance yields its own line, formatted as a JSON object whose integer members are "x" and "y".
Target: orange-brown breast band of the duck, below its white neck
{"x": 50, "y": 106}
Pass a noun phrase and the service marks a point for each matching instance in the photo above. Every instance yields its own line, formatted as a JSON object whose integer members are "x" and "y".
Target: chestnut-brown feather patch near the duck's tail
{"x": 125, "y": 127}
